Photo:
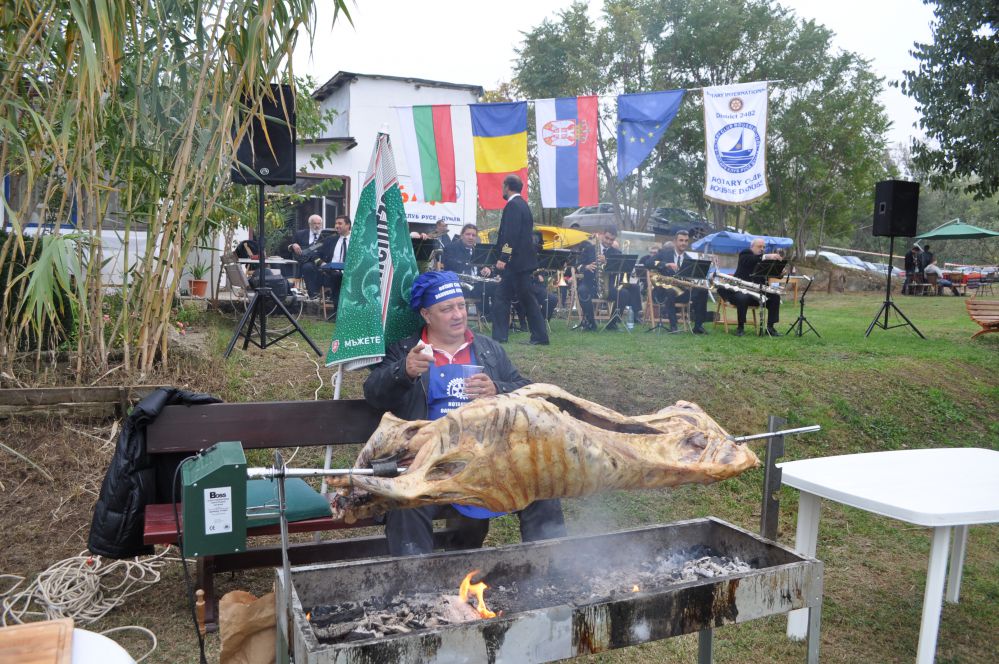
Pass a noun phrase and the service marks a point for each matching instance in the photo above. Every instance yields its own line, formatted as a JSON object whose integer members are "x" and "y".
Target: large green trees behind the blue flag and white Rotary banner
{"x": 826, "y": 143}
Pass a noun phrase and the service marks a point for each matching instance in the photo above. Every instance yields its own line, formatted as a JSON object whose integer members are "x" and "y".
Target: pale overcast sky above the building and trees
{"x": 466, "y": 41}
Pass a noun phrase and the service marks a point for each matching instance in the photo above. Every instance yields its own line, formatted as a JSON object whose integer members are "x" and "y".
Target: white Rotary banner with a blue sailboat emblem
{"x": 735, "y": 137}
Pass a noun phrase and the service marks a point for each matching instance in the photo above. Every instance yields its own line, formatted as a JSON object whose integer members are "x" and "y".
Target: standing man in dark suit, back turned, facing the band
{"x": 518, "y": 260}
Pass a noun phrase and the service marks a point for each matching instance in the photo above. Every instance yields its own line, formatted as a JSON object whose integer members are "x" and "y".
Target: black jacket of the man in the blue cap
{"x": 389, "y": 388}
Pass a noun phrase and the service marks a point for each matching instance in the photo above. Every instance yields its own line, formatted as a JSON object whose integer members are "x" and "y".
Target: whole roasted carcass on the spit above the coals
{"x": 505, "y": 452}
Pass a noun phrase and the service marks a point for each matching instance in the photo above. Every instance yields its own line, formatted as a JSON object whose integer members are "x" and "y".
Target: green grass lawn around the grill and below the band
{"x": 890, "y": 391}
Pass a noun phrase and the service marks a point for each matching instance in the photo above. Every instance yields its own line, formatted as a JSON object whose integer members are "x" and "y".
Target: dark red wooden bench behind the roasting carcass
{"x": 189, "y": 429}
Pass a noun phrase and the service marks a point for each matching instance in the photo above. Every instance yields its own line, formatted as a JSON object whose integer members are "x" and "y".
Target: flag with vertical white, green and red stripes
{"x": 429, "y": 147}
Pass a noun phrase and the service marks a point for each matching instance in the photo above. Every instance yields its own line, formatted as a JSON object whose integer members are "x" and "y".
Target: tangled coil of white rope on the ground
{"x": 85, "y": 588}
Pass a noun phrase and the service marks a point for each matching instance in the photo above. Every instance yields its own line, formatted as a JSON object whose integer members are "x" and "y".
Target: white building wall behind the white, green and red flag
{"x": 372, "y": 104}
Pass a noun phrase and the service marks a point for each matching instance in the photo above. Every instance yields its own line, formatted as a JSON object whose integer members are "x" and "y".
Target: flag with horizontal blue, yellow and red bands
{"x": 499, "y": 137}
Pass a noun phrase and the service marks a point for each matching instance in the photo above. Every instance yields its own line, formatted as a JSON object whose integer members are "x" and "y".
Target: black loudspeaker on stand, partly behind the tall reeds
{"x": 269, "y": 157}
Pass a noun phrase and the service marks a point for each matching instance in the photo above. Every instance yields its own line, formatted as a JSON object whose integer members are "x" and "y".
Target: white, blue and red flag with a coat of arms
{"x": 567, "y": 151}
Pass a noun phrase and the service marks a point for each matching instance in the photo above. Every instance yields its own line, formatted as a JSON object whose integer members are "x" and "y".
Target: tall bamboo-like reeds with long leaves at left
{"x": 121, "y": 114}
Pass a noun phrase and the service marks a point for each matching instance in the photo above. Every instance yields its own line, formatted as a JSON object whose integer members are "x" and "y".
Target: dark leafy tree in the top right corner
{"x": 956, "y": 89}
